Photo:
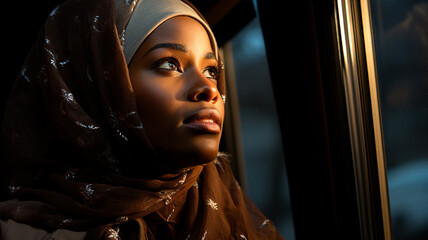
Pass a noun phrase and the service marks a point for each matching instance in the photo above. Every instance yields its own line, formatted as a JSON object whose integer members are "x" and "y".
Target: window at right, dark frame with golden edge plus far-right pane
{"x": 355, "y": 108}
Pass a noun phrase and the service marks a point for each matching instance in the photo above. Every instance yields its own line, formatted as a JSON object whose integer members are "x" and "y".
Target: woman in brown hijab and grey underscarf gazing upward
{"x": 113, "y": 128}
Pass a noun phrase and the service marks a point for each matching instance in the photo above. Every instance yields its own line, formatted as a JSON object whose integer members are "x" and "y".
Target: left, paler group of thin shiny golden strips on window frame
{"x": 346, "y": 46}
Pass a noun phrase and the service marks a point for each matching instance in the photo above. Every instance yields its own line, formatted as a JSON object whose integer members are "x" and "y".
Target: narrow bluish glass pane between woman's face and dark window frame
{"x": 264, "y": 161}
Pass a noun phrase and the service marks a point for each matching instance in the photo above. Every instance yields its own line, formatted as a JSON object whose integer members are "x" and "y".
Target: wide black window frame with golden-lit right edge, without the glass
{"x": 333, "y": 140}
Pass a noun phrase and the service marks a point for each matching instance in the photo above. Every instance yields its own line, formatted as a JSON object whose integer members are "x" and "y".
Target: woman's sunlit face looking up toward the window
{"x": 174, "y": 76}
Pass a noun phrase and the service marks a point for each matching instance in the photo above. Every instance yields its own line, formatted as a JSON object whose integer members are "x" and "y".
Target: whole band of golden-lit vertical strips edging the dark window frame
{"x": 347, "y": 45}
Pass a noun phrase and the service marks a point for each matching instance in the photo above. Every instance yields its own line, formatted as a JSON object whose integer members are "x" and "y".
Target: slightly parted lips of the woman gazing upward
{"x": 204, "y": 121}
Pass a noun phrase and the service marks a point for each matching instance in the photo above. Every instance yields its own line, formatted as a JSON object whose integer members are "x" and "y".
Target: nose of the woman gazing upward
{"x": 203, "y": 89}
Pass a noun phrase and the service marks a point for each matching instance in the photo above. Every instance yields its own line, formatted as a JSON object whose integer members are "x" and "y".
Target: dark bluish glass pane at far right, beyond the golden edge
{"x": 401, "y": 44}
